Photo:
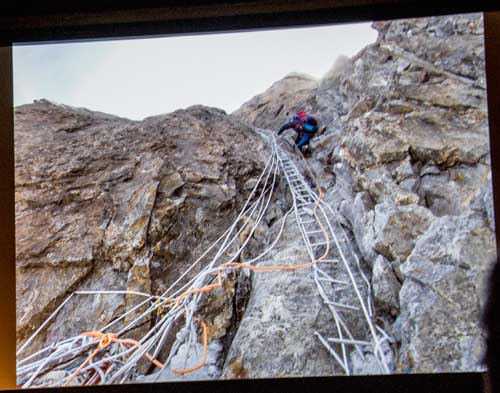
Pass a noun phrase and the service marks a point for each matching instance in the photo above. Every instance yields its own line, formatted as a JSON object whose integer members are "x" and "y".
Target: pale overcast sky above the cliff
{"x": 137, "y": 78}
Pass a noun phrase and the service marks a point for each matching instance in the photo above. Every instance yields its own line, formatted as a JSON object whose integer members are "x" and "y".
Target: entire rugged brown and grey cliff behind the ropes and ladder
{"x": 105, "y": 203}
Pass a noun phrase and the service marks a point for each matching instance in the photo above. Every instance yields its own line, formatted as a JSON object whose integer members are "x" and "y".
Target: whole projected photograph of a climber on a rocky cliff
{"x": 264, "y": 204}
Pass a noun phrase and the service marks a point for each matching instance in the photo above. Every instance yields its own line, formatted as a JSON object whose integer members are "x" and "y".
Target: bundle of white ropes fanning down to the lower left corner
{"x": 165, "y": 310}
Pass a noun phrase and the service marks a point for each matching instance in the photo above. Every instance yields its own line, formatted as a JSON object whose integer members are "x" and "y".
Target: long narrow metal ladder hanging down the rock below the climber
{"x": 344, "y": 289}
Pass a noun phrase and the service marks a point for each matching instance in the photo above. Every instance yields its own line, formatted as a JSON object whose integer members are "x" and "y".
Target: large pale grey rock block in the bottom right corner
{"x": 443, "y": 294}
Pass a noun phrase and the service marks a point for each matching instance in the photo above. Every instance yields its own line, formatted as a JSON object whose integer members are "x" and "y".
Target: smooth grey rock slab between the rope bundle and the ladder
{"x": 275, "y": 338}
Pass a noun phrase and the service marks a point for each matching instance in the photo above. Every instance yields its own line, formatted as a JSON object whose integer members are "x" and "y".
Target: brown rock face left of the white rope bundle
{"x": 104, "y": 203}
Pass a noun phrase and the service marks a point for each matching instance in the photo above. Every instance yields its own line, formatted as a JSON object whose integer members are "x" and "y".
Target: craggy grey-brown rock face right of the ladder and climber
{"x": 405, "y": 159}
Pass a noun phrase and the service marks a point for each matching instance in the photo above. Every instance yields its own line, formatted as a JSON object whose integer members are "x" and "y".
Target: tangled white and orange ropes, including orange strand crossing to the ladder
{"x": 180, "y": 300}
